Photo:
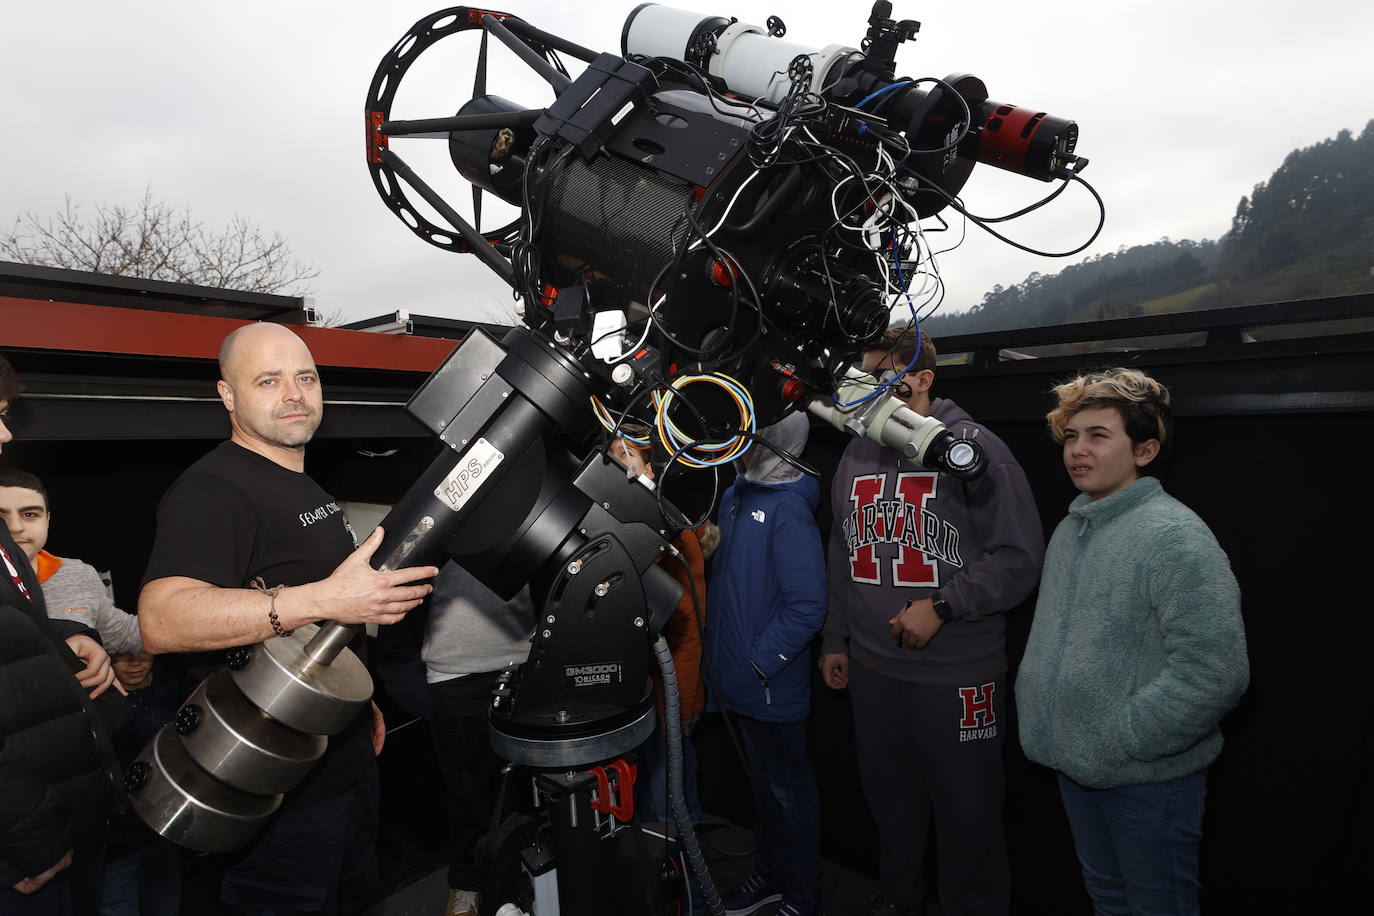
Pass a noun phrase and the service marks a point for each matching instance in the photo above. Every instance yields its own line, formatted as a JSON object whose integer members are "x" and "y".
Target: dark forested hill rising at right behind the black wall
{"x": 1306, "y": 233}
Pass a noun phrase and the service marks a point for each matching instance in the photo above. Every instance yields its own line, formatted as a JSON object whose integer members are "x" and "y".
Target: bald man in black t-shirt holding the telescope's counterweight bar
{"x": 249, "y": 513}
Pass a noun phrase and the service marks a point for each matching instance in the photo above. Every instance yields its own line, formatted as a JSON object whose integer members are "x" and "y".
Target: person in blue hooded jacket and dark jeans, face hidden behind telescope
{"x": 767, "y": 601}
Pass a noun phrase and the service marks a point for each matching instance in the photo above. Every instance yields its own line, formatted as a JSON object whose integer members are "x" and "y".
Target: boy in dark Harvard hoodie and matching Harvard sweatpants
{"x": 923, "y": 569}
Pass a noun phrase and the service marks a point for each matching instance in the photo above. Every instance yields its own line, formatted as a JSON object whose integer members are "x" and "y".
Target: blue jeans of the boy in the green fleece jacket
{"x": 1140, "y": 844}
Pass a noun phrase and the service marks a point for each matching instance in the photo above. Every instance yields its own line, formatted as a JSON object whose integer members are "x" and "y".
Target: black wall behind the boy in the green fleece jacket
{"x": 1288, "y": 811}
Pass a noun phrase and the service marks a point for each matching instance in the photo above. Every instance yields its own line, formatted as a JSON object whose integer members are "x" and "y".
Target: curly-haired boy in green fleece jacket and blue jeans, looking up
{"x": 1136, "y": 653}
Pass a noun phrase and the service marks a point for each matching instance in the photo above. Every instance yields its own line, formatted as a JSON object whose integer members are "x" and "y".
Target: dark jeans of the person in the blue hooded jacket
{"x": 787, "y": 804}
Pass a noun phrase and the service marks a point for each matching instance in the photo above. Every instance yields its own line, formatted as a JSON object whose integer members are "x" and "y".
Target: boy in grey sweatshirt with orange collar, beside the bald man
{"x": 72, "y": 590}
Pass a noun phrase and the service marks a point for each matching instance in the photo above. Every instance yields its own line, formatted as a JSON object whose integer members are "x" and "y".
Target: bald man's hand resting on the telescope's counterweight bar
{"x": 358, "y": 594}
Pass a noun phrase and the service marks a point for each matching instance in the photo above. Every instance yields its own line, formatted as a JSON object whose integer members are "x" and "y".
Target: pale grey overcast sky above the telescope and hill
{"x": 256, "y": 109}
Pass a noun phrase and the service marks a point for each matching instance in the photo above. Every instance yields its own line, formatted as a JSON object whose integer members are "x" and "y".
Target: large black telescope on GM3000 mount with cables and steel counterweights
{"x": 714, "y": 226}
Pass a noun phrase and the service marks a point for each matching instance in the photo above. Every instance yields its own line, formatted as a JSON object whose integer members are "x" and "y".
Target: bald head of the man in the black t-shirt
{"x": 273, "y": 389}
